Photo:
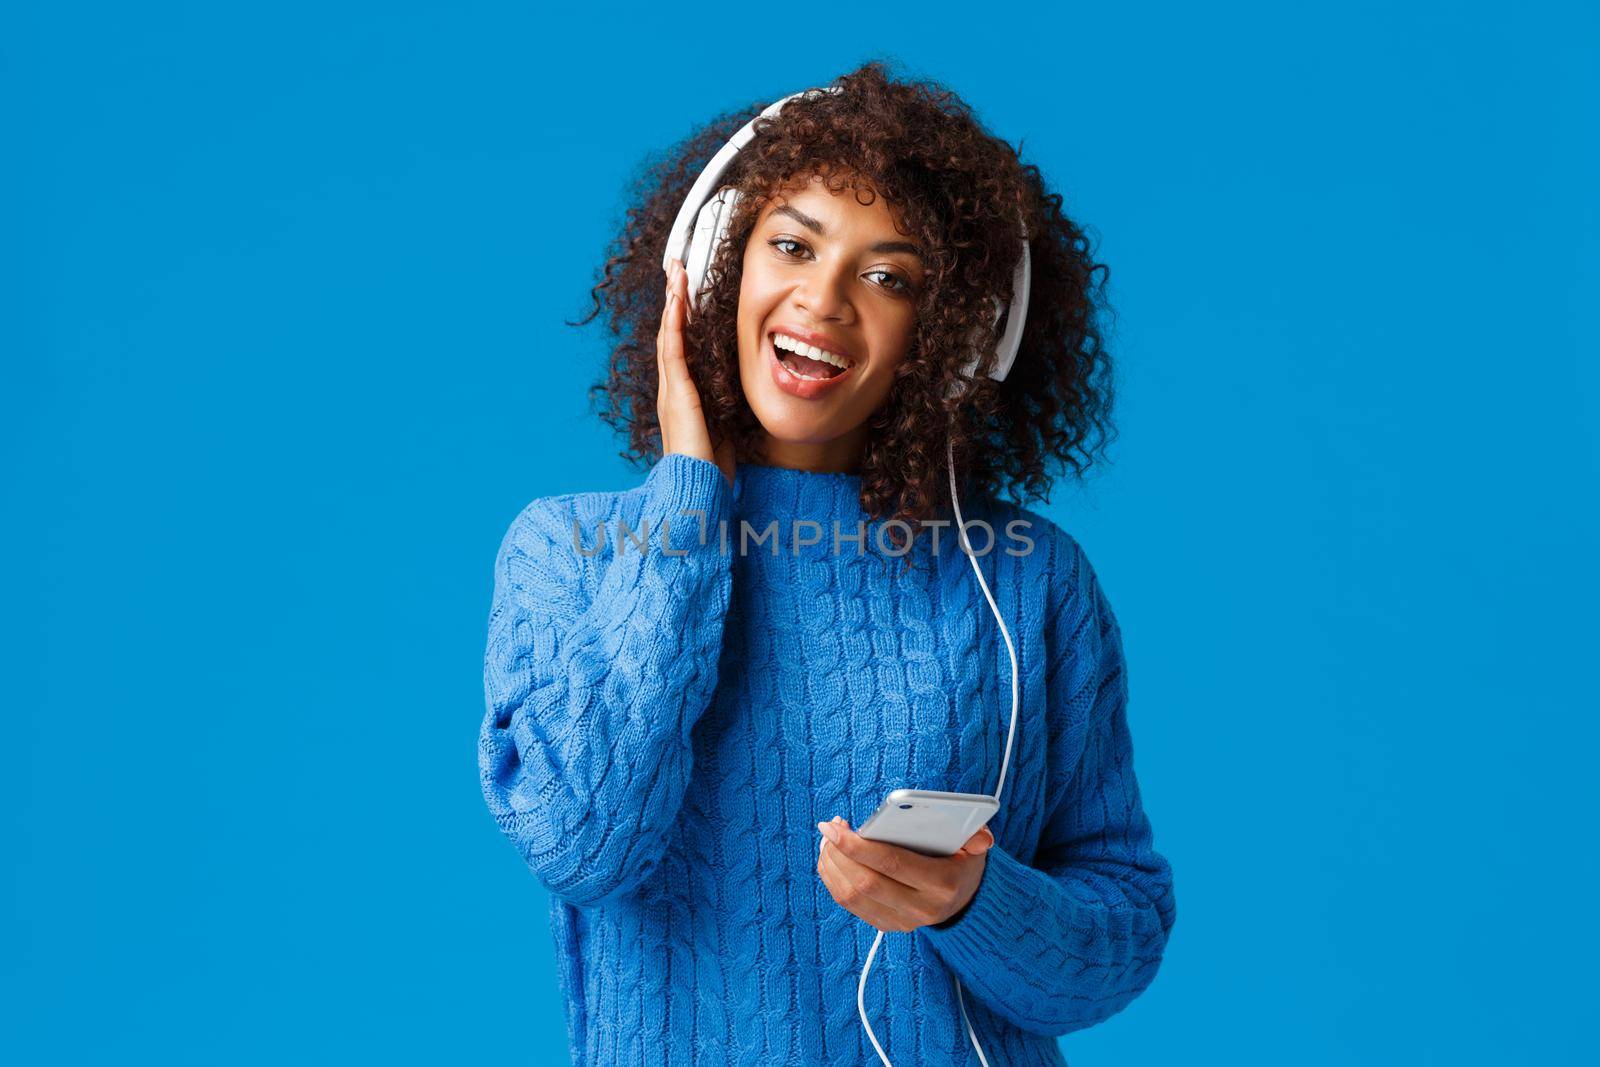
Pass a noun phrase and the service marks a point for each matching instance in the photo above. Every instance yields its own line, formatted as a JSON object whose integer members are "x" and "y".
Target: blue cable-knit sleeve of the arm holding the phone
{"x": 1074, "y": 935}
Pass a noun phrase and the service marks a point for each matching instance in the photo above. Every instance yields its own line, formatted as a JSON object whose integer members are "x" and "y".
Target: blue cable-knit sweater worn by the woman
{"x": 670, "y": 717}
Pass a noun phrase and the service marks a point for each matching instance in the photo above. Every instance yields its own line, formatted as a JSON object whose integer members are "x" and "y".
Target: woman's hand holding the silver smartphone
{"x": 897, "y": 889}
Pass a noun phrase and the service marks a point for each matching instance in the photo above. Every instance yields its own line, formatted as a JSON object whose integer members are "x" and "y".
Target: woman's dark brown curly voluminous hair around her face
{"x": 964, "y": 196}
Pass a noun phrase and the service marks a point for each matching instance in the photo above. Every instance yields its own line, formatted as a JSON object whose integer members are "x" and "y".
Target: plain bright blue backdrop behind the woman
{"x": 284, "y": 354}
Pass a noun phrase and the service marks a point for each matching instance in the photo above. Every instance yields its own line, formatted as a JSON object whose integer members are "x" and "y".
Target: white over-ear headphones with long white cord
{"x": 697, "y": 236}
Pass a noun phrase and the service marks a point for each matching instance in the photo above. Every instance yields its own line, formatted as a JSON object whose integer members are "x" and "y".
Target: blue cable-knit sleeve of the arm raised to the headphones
{"x": 585, "y": 753}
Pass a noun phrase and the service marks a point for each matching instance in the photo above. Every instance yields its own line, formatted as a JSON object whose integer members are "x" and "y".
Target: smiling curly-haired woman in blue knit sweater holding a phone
{"x": 698, "y": 689}
